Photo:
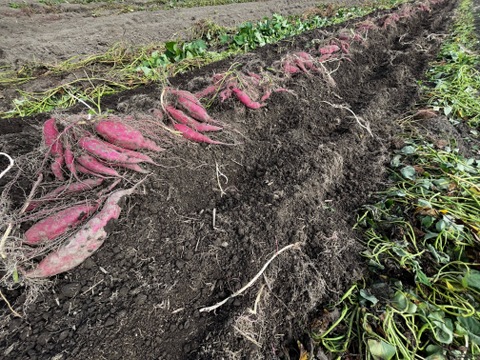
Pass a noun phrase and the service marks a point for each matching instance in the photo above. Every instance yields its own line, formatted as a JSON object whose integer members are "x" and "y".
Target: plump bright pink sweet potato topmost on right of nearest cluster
{"x": 124, "y": 136}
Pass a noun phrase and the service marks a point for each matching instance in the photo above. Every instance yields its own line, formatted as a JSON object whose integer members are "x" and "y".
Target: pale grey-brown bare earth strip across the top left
{"x": 48, "y": 34}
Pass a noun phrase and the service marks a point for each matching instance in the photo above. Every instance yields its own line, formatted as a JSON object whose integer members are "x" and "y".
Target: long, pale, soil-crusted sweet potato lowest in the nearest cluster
{"x": 82, "y": 244}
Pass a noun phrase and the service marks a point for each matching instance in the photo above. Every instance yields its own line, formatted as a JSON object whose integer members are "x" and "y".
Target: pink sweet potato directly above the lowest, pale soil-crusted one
{"x": 58, "y": 224}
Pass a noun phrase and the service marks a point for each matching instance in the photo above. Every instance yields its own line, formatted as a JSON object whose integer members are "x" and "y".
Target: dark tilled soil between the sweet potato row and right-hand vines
{"x": 190, "y": 238}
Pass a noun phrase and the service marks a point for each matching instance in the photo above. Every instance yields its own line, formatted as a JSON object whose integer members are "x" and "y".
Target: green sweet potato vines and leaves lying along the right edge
{"x": 422, "y": 237}
